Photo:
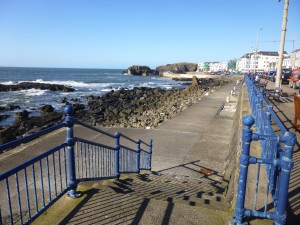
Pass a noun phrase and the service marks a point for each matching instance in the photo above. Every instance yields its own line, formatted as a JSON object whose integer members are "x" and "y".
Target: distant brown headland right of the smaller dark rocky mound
{"x": 177, "y": 68}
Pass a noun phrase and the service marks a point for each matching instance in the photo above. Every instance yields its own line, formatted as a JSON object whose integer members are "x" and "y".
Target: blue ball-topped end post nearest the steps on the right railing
{"x": 248, "y": 121}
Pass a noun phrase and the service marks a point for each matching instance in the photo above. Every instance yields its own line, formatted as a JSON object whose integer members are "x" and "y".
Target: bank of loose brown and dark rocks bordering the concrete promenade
{"x": 143, "y": 107}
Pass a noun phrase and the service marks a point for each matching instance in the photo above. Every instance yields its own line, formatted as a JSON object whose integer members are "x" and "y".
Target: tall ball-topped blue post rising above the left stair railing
{"x": 69, "y": 121}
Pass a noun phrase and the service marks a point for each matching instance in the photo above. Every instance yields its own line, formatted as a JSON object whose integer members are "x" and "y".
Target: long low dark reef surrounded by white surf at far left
{"x": 30, "y": 85}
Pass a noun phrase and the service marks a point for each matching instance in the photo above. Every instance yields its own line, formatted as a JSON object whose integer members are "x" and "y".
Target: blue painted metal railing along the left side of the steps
{"x": 30, "y": 188}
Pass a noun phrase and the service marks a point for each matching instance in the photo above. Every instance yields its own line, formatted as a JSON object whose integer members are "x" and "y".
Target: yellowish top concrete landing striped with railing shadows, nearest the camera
{"x": 103, "y": 205}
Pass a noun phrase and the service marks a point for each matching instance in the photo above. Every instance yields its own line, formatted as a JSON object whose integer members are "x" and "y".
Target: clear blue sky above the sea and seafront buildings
{"x": 121, "y": 33}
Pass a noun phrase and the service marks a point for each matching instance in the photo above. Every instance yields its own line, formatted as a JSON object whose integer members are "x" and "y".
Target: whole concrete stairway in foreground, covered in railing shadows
{"x": 151, "y": 198}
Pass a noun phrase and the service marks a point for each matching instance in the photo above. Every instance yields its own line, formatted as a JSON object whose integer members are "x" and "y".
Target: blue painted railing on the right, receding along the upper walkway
{"x": 276, "y": 156}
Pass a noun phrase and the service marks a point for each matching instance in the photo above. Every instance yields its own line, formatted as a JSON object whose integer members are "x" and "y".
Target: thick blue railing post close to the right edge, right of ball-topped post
{"x": 286, "y": 164}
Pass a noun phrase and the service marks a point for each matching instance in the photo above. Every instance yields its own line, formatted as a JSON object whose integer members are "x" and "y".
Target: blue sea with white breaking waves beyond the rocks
{"x": 86, "y": 82}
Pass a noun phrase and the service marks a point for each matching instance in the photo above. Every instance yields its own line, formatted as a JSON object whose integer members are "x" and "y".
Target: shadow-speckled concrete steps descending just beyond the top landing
{"x": 166, "y": 187}
